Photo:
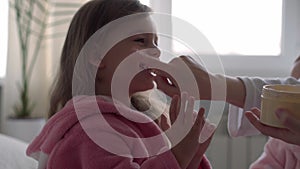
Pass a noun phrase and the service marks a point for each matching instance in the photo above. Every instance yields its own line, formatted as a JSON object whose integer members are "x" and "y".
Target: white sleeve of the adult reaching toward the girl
{"x": 238, "y": 124}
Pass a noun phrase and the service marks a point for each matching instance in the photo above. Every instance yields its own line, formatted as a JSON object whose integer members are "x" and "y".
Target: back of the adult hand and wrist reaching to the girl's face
{"x": 213, "y": 86}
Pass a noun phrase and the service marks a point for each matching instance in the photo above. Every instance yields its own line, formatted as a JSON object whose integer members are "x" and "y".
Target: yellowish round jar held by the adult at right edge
{"x": 279, "y": 96}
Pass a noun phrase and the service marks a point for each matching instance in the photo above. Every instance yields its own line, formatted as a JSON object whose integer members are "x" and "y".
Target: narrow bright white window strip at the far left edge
{"x": 4, "y": 36}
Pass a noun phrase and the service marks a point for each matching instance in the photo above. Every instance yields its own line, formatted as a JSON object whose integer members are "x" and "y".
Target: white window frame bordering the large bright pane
{"x": 264, "y": 65}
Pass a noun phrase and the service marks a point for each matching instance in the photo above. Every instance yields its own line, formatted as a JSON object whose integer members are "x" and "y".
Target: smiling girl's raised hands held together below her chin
{"x": 189, "y": 146}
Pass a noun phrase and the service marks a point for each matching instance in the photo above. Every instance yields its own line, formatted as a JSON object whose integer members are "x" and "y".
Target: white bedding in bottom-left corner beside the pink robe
{"x": 12, "y": 154}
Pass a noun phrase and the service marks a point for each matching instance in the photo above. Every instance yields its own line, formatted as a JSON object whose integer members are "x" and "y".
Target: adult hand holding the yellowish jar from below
{"x": 291, "y": 134}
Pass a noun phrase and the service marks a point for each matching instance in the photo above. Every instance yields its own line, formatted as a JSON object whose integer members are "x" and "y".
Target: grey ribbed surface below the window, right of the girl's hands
{"x": 227, "y": 152}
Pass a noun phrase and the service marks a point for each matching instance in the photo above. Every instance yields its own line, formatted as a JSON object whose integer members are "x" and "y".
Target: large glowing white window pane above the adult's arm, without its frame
{"x": 248, "y": 27}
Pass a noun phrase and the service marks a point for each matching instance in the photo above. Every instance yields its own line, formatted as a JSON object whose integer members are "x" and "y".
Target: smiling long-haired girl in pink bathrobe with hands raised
{"x": 92, "y": 130}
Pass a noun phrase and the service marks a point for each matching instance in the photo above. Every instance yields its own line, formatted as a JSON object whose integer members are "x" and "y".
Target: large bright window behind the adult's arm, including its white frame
{"x": 264, "y": 43}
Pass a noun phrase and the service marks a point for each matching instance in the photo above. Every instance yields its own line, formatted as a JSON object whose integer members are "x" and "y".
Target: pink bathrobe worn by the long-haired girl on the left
{"x": 73, "y": 140}
